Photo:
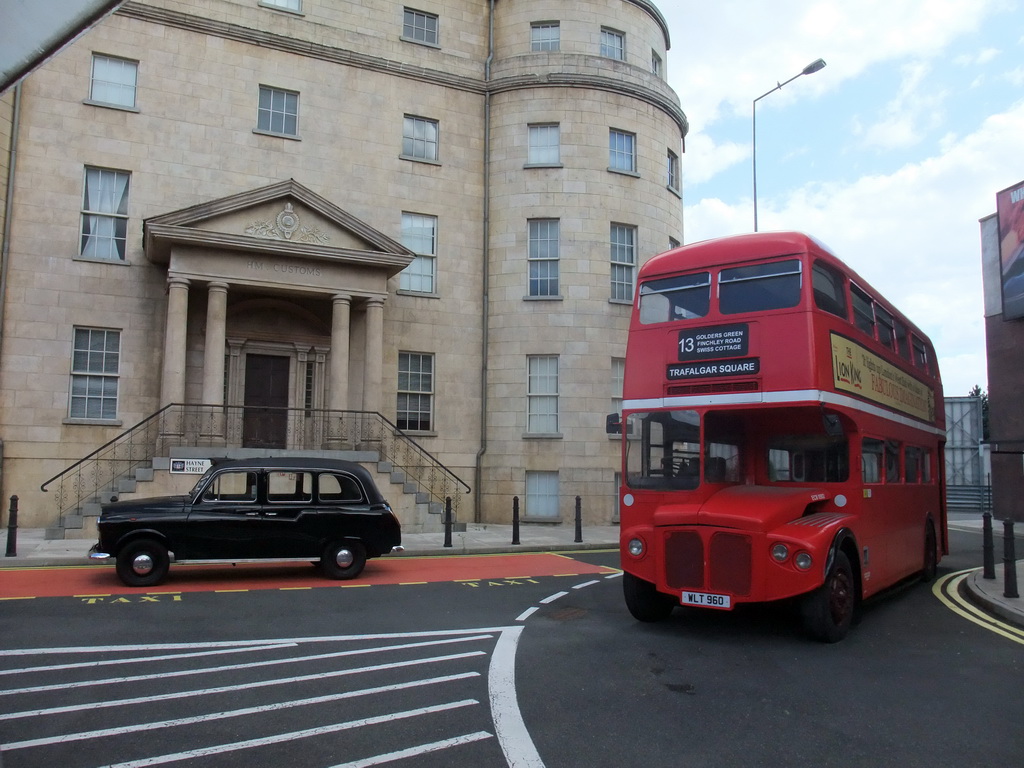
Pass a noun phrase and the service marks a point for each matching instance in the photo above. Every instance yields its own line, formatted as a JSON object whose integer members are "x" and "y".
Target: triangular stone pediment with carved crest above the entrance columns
{"x": 283, "y": 219}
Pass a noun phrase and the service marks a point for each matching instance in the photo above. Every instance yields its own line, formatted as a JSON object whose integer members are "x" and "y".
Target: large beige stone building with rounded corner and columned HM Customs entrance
{"x": 404, "y": 234}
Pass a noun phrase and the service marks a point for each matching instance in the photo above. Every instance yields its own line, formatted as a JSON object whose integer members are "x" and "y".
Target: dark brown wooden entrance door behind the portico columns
{"x": 266, "y": 422}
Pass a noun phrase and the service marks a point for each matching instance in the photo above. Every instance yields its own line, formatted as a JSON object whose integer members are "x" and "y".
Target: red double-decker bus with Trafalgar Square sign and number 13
{"x": 783, "y": 435}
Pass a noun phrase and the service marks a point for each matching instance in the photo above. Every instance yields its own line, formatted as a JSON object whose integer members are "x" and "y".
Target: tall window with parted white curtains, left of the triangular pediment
{"x": 105, "y": 215}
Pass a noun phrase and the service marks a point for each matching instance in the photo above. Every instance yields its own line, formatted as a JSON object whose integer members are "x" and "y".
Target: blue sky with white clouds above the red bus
{"x": 890, "y": 155}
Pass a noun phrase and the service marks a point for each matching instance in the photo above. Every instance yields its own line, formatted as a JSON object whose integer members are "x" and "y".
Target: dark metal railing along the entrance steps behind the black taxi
{"x": 225, "y": 429}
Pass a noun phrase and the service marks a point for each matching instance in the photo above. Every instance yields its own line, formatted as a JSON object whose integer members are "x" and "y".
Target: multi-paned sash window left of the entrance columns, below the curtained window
{"x": 95, "y": 367}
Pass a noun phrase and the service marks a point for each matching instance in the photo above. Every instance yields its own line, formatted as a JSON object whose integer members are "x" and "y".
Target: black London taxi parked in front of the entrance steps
{"x": 322, "y": 510}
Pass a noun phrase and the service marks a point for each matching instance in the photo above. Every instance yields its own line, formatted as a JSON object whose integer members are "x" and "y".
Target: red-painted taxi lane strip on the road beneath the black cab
{"x": 96, "y": 581}
